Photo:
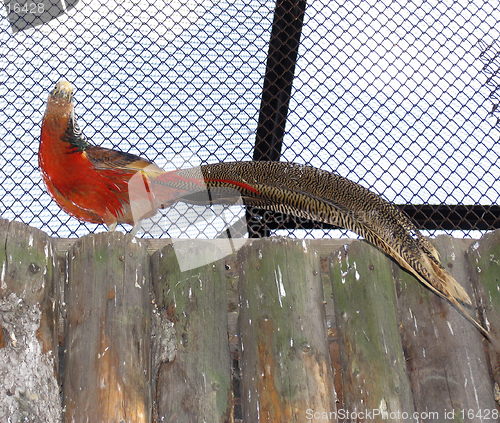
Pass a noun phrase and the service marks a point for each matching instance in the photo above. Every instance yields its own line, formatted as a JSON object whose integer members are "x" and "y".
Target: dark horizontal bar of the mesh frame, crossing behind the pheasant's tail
{"x": 425, "y": 216}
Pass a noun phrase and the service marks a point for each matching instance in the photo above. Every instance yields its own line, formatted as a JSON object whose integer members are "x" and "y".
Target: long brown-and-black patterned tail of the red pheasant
{"x": 311, "y": 193}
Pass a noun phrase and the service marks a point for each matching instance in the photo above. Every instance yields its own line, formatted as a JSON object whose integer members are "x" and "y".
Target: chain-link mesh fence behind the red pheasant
{"x": 398, "y": 96}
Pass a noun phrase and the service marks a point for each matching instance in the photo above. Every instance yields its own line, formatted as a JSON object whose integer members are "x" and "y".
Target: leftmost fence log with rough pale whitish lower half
{"x": 29, "y": 310}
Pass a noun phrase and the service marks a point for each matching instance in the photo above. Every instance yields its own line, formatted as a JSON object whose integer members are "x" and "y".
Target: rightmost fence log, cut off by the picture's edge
{"x": 484, "y": 267}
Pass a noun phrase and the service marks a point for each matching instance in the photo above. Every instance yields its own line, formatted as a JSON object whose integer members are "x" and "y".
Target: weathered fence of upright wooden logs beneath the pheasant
{"x": 107, "y": 328}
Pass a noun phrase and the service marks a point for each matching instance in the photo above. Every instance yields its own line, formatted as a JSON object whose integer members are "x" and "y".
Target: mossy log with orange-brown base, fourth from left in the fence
{"x": 285, "y": 362}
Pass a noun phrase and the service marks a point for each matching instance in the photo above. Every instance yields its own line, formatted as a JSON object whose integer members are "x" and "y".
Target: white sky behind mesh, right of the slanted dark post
{"x": 392, "y": 91}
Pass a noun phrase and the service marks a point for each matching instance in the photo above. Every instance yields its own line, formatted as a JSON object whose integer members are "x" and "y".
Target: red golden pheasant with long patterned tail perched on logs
{"x": 93, "y": 184}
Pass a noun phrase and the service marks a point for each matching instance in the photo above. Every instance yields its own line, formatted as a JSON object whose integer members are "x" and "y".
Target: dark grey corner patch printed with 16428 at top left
{"x": 24, "y": 14}
